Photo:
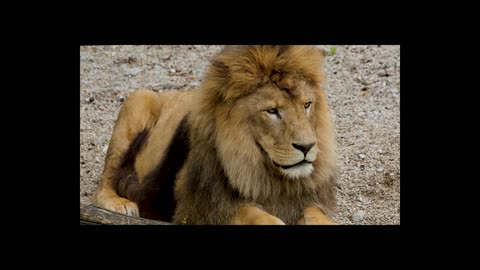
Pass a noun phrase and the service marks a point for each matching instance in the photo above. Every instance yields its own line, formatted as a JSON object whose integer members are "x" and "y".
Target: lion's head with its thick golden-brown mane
{"x": 270, "y": 117}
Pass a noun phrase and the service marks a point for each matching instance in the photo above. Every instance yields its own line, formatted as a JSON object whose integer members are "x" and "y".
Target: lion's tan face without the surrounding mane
{"x": 279, "y": 120}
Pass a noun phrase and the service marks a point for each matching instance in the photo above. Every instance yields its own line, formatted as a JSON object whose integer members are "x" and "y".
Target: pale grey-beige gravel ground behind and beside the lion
{"x": 363, "y": 85}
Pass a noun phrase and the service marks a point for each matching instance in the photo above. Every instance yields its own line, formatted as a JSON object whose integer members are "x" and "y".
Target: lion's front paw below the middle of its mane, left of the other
{"x": 251, "y": 215}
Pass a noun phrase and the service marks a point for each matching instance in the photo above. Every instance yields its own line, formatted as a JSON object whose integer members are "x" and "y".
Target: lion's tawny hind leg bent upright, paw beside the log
{"x": 139, "y": 112}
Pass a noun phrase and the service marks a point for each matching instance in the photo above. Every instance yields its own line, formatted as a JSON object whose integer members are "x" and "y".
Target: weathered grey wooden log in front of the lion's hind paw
{"x": 92, "y": 215}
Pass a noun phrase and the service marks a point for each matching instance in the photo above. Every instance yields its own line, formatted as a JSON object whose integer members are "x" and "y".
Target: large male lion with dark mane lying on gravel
{"x": 255, "y": 144}
